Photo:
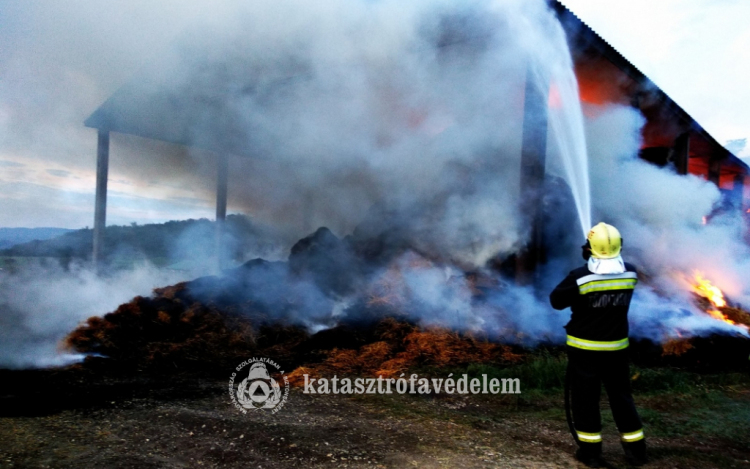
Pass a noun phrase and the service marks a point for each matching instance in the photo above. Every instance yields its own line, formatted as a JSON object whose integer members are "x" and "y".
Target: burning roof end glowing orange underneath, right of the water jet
{"x": 670, "y": 135}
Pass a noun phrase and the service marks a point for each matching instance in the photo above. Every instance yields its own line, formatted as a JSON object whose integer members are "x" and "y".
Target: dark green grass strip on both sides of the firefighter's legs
{"x": 691, "y": 419}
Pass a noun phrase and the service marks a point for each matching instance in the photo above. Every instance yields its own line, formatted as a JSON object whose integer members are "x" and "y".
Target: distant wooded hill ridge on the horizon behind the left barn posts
{"x": 162, "y": 244}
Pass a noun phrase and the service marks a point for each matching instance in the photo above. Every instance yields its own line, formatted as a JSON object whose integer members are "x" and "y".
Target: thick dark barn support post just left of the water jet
{"x": 533, "y": 161}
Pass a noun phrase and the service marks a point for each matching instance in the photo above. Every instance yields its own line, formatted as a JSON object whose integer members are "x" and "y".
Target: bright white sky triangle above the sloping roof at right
{"x": 697, "y": 51}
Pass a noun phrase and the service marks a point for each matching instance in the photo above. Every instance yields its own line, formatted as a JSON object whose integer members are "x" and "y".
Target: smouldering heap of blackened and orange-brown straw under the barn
{"x": 336, "y": 307}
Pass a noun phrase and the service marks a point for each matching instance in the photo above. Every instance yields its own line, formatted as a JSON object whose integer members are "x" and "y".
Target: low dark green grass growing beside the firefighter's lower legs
{"x": 673, "y": 403}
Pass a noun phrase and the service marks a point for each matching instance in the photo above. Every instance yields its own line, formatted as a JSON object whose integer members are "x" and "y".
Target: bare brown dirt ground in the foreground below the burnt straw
{"x": 200, "y": 428}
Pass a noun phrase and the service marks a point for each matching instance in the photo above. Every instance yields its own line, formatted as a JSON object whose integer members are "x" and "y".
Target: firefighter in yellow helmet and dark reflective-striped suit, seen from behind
{"x": 599, "y": 295}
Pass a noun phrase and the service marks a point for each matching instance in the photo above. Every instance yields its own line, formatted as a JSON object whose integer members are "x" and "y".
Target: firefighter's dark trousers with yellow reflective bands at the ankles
{"x": 588, "y": 370}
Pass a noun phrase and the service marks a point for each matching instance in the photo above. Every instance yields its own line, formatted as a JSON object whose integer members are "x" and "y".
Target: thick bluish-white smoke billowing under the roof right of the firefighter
{"x": 660, "y": 214}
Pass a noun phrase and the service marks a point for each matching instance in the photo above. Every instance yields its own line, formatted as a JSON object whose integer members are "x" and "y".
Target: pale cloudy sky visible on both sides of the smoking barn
{"x": 60, "y": 60}
